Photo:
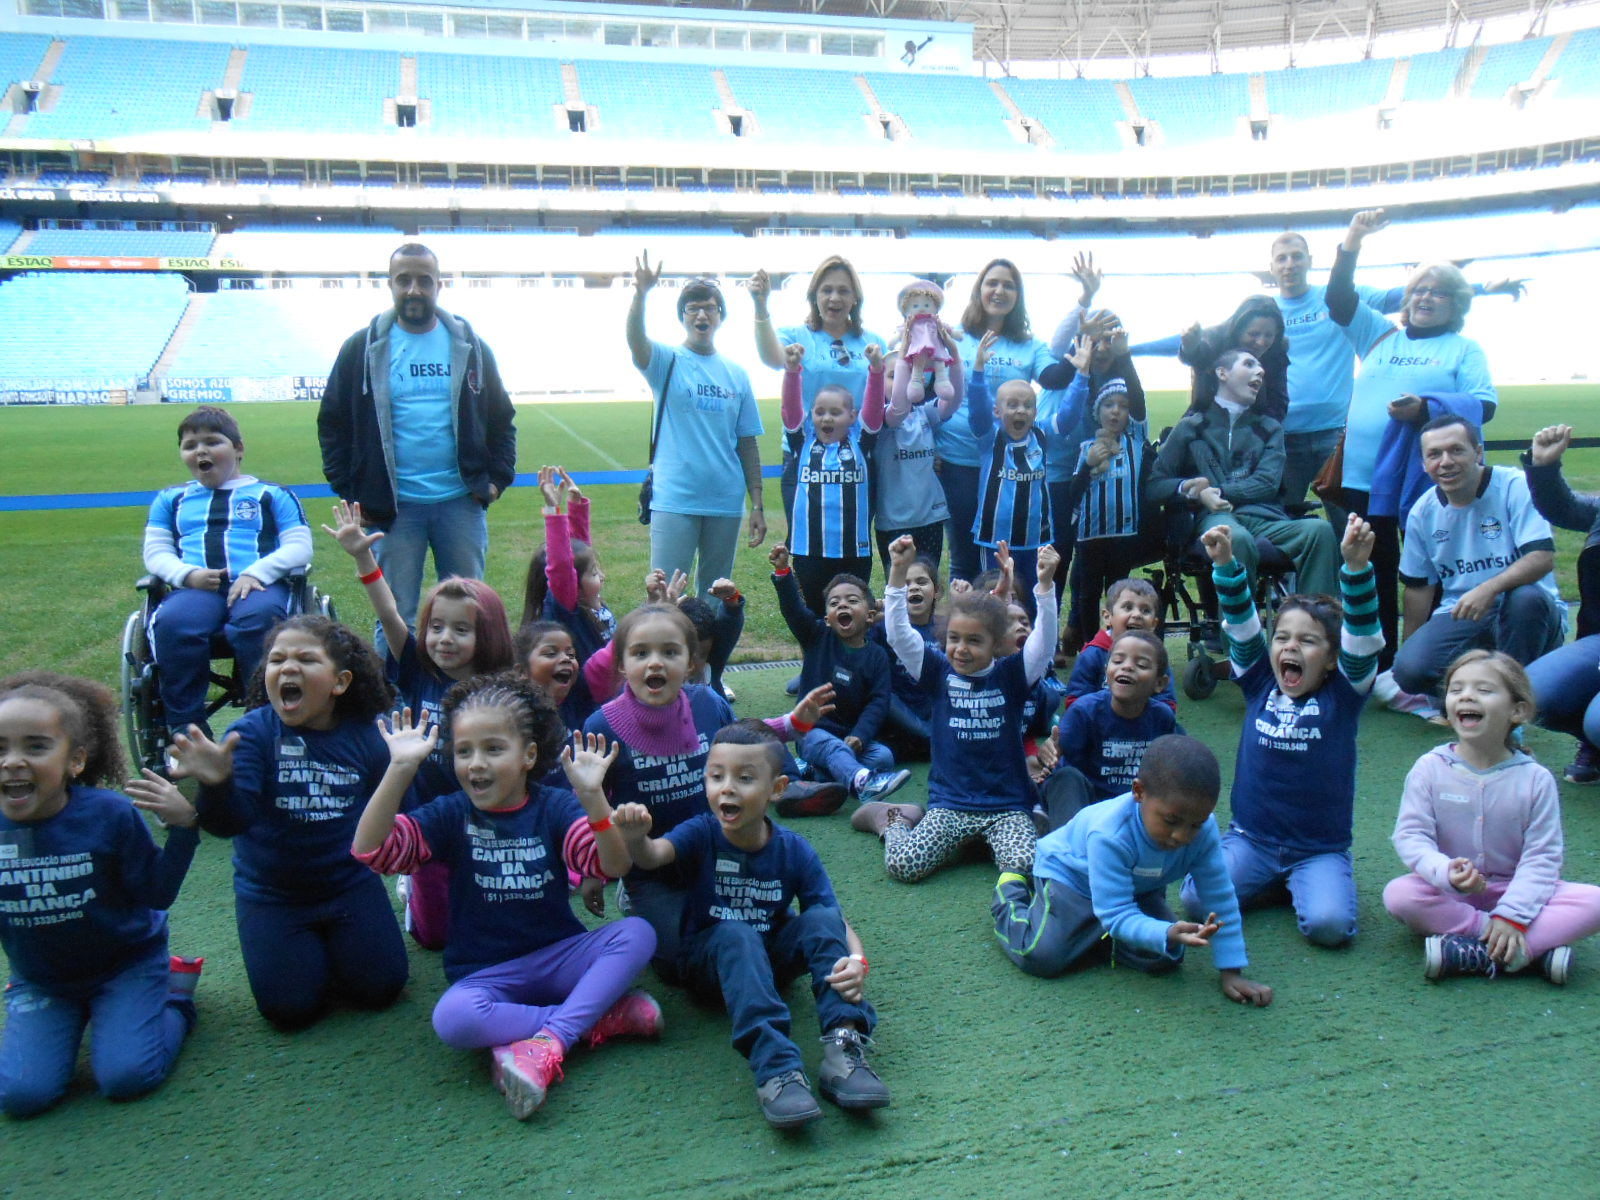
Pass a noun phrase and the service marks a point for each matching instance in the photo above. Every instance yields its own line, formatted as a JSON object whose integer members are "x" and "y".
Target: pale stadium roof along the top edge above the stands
{"x": 1143, "y": 30}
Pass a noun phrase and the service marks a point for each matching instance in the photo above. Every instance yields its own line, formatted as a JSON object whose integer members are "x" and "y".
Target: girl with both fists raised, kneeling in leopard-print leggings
{"x": 978, "y": 783}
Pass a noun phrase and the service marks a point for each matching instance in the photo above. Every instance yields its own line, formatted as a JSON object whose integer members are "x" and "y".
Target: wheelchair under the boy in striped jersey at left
{"x": 145, "y": 718}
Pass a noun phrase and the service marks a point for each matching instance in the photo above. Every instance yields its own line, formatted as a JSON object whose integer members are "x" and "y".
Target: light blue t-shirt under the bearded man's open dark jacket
{"x": 425, "y": 425}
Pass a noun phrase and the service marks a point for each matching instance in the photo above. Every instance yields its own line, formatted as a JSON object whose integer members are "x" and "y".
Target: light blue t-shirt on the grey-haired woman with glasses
{"x": 1401, "y": 366}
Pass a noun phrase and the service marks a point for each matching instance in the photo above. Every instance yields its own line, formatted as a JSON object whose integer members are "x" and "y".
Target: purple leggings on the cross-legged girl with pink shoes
{"x": 559, "y": 991}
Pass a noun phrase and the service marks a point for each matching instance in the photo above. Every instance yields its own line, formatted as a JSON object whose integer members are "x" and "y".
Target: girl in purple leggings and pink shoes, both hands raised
{"x": 526, "y": 978}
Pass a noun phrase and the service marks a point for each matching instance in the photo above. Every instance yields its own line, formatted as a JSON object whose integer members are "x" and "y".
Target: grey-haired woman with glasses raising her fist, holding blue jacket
{"x": 1409, "y": 375}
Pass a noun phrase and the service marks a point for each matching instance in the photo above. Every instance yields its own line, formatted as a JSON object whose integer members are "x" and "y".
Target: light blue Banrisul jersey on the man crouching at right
{"x": 1465, "y": 548}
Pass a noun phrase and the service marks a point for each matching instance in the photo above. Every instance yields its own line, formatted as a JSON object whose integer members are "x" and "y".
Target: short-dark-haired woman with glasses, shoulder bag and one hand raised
{"x": 706, "y": 436}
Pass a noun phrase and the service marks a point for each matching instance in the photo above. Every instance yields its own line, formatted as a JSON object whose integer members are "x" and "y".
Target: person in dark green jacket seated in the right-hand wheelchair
{"x": 1226, "y": 458}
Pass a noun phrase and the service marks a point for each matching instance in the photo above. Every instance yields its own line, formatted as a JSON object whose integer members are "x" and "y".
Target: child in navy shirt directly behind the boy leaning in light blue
{"x": 1102, "y": 740}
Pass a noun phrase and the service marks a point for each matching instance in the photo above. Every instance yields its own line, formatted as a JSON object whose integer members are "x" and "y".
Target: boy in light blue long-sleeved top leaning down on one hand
{"x": 1100, "y": 884}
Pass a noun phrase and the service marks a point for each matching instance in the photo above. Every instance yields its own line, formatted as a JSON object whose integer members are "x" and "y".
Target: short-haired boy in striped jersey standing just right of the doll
{"x": 1014, "y": 498}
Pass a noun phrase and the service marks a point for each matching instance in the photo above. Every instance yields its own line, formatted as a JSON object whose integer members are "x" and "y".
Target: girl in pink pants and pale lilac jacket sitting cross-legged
{"x": 1481, "y": 828}
